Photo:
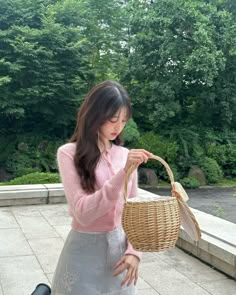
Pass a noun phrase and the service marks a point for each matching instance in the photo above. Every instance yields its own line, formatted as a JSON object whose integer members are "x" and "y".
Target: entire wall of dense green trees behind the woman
{"x": 176, "y": 58}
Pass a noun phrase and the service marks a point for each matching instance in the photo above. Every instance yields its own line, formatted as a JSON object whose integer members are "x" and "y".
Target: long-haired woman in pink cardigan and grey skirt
{"x": 96, "y": 258}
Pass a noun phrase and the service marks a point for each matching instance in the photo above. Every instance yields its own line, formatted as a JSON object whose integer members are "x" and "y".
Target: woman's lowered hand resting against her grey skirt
{"x": 130, "y": 263}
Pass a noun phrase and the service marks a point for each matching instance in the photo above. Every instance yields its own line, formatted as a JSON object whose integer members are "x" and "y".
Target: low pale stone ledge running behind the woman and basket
{"x": 217, "y": 246}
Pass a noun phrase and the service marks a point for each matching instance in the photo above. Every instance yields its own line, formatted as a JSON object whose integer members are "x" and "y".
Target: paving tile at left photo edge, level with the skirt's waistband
{"x": 13, "y": 243}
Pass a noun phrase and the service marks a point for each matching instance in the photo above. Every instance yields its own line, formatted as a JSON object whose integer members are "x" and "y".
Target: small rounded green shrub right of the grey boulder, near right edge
{"x": 211, "y": 169}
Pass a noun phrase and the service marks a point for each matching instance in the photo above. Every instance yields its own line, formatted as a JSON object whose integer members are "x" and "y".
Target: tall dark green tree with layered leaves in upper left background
{"x": 42, "y": 62}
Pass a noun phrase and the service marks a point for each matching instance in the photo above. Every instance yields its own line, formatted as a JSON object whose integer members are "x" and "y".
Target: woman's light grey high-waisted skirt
{"x": 85, "y": 266}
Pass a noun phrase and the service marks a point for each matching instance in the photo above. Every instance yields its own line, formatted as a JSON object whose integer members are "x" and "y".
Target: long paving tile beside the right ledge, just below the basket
{"x": 189, "y": 266}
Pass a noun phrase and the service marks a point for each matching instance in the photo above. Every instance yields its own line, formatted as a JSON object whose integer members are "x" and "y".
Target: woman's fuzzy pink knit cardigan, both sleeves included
{"x": 101, "y": 210}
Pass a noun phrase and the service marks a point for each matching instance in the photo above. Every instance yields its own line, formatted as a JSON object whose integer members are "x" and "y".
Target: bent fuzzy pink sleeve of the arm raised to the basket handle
{"x": 86, "y": 208}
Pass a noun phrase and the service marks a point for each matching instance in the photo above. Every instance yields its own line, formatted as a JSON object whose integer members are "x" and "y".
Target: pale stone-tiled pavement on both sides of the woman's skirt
{"x": 31, "y": 238}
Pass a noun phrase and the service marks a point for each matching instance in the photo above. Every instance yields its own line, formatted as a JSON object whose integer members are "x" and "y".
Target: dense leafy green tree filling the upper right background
{"x": 183, "y": 53}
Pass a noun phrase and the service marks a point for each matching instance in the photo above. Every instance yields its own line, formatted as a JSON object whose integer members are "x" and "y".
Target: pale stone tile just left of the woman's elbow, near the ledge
{"x": 57, "y": 215}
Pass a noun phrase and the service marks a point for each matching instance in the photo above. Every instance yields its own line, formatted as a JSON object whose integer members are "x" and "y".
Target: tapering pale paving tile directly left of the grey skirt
{"x": 47, "y": 252}
